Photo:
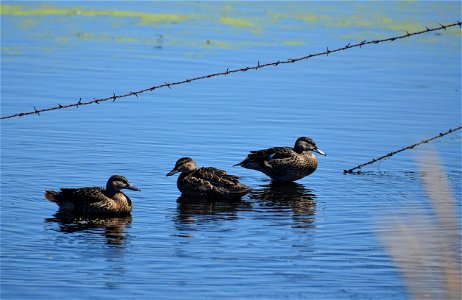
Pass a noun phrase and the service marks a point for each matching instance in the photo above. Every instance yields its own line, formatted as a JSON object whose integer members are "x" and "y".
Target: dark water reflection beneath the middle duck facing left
{"x": 196, "y": 210}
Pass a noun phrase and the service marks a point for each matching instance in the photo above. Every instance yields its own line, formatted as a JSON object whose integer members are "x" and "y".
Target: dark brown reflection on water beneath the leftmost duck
{"x": 113, "y": 227}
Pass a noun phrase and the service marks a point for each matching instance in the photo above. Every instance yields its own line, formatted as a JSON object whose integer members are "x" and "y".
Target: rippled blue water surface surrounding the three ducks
{"x": 314, "y": 239}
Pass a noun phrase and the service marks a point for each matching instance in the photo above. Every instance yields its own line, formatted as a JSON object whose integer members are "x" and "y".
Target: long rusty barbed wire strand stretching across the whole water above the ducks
{"x": 114, "y": 97}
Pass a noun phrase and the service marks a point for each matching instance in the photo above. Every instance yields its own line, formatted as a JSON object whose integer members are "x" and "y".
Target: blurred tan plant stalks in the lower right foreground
{"x": 427, "y": 247}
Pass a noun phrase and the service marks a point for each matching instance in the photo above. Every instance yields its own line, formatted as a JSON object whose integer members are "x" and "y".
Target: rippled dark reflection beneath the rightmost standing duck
{"x": 292, "y": 195}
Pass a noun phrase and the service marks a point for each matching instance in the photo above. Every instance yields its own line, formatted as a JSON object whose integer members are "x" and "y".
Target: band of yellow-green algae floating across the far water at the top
{"x": 274, "y": 25}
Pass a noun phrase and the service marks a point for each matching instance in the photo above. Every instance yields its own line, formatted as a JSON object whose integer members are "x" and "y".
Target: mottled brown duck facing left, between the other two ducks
{"x": 206, "y": 182}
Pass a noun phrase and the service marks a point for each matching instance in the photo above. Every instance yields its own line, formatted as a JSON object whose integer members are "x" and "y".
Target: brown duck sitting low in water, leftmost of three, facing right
{"x": 95, "y": 200}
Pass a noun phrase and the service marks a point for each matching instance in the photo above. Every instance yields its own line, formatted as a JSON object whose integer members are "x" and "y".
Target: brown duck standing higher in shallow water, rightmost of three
{"x": 285, "y": 164}
